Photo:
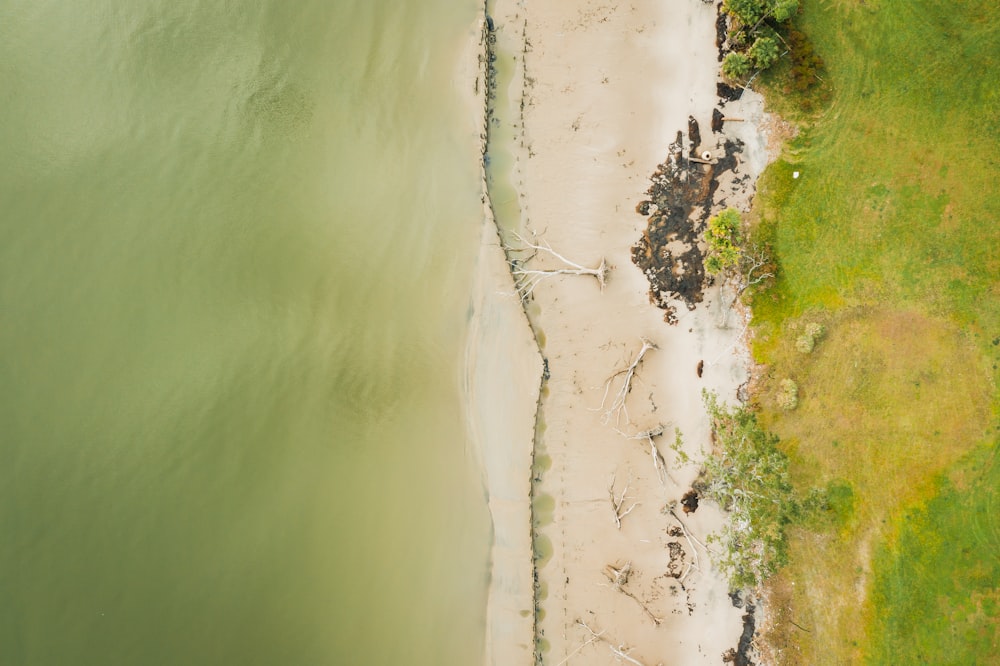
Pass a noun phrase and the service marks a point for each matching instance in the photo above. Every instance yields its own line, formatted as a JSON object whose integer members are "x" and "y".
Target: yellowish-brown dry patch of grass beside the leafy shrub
{"x": 888, "y": 401}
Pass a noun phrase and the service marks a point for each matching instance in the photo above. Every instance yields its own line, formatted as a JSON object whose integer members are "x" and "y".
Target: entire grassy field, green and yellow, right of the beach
{"x": 890, "y": 238}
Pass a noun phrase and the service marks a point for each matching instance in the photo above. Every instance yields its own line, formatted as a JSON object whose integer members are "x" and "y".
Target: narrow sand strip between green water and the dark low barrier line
{"x": 503, "y": 371}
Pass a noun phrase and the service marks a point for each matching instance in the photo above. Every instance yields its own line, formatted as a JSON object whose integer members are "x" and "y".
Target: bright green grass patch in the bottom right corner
{"x": 936, "y": 599}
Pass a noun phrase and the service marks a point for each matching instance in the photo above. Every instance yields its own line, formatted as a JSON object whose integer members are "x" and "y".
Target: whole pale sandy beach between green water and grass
{"x": 604, "y": 88}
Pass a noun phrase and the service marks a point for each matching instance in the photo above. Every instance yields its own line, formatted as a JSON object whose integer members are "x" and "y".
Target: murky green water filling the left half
{"x": 235, "y": 248}
